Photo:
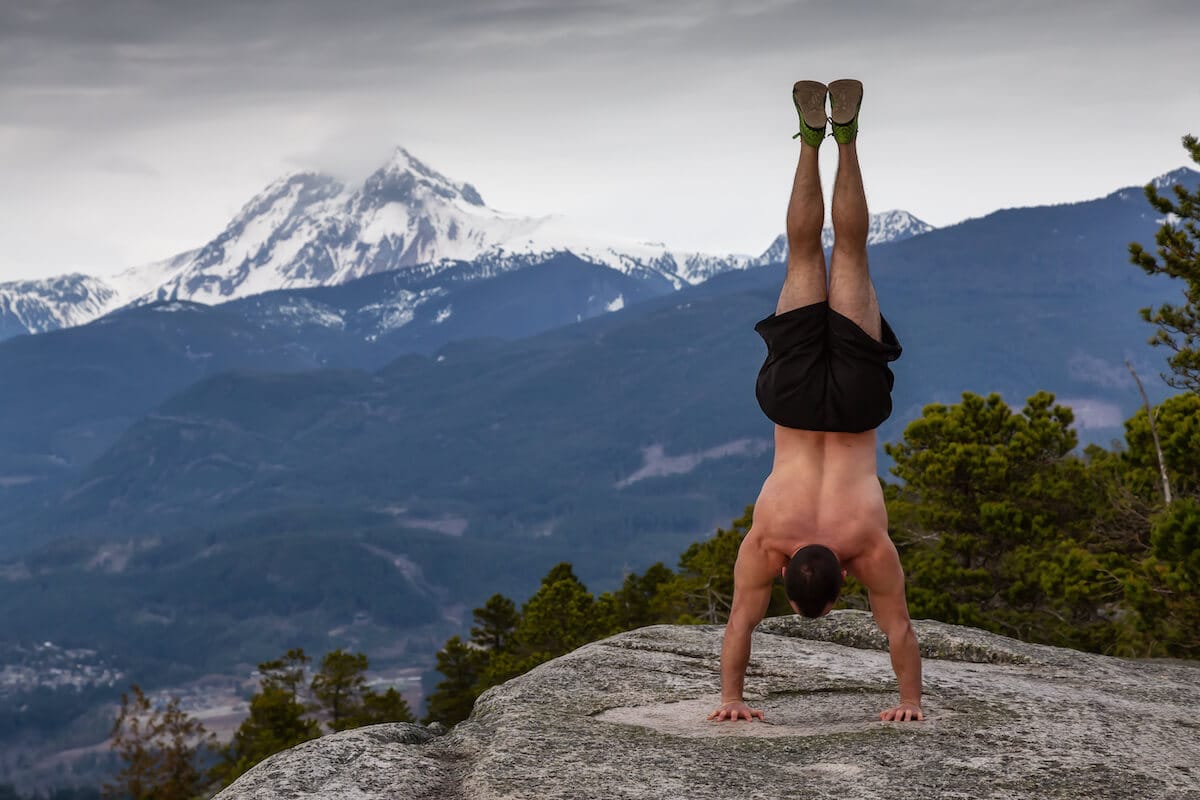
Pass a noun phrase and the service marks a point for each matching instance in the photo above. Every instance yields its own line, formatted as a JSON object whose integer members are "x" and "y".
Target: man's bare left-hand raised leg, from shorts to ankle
{"x": 806, "y": 282}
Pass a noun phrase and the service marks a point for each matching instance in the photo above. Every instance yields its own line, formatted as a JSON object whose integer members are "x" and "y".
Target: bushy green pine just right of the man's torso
{"x": 994, "y": 522}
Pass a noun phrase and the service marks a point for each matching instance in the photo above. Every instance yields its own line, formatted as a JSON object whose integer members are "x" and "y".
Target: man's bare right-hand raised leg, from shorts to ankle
{"x": 851, "y": 292}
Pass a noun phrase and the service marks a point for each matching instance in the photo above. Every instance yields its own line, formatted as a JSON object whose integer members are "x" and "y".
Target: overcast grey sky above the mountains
{"x": 133, "y": 130}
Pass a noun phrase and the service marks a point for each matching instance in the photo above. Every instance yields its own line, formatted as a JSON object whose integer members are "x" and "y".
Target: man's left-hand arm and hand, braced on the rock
{"x": 753, "y": 578}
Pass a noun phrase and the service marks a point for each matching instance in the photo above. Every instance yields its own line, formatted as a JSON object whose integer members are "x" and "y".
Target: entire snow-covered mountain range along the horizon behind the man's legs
{"x": 310, "y": 230}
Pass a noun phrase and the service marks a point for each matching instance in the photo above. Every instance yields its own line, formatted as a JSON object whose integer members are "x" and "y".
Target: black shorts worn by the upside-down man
{"x": 824, "y": 372}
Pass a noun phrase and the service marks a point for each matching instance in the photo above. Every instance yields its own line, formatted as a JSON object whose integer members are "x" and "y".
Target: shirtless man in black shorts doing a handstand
{"x": 827, "y": 387}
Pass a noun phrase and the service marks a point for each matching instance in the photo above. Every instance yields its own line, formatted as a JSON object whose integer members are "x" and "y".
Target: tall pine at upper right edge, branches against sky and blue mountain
{"x": 1179, "y": 257}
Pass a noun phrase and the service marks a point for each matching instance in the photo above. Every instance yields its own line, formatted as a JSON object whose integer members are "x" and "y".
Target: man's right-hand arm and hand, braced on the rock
{"x": 885, "y": 584}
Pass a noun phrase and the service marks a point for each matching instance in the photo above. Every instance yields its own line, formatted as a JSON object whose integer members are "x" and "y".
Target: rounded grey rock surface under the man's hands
{"x": 626, "y": 718}
